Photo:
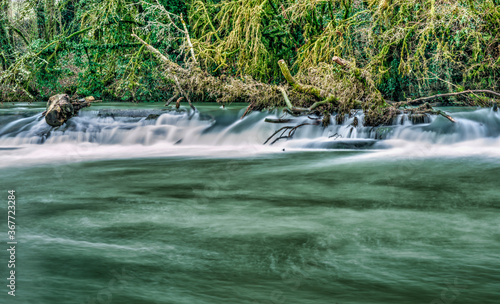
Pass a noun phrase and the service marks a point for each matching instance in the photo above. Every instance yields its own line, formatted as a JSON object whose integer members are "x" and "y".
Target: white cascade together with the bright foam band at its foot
{"x": 94, "y": 135}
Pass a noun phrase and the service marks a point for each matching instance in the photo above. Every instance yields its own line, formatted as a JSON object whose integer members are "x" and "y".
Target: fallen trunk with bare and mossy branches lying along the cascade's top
{"x": 364, "y": 95}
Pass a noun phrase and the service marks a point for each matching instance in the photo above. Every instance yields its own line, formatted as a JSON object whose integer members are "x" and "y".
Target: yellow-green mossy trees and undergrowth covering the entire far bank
{"x": 357, "y": 53}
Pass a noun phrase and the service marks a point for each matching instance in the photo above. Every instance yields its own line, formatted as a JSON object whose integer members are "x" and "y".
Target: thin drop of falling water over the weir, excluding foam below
{"x": 194, "y": 128}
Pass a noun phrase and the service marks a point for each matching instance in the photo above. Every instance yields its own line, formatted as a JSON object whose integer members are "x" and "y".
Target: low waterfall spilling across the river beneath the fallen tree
{"x": 223, "y": 129}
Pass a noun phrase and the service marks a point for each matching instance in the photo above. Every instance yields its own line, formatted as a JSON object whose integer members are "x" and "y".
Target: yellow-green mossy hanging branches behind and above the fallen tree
{"x": 411, "y": 48}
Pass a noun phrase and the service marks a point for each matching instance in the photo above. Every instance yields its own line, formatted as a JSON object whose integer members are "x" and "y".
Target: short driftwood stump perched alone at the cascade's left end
{"x": 60, "y": 108}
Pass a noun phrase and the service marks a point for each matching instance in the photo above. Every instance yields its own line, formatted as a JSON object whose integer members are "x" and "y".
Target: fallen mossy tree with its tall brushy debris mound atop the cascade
{"x": 331, "y": 89}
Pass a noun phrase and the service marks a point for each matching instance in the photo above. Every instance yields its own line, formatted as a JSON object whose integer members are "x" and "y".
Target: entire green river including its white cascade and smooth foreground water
{"x": 192, "y": 208}
